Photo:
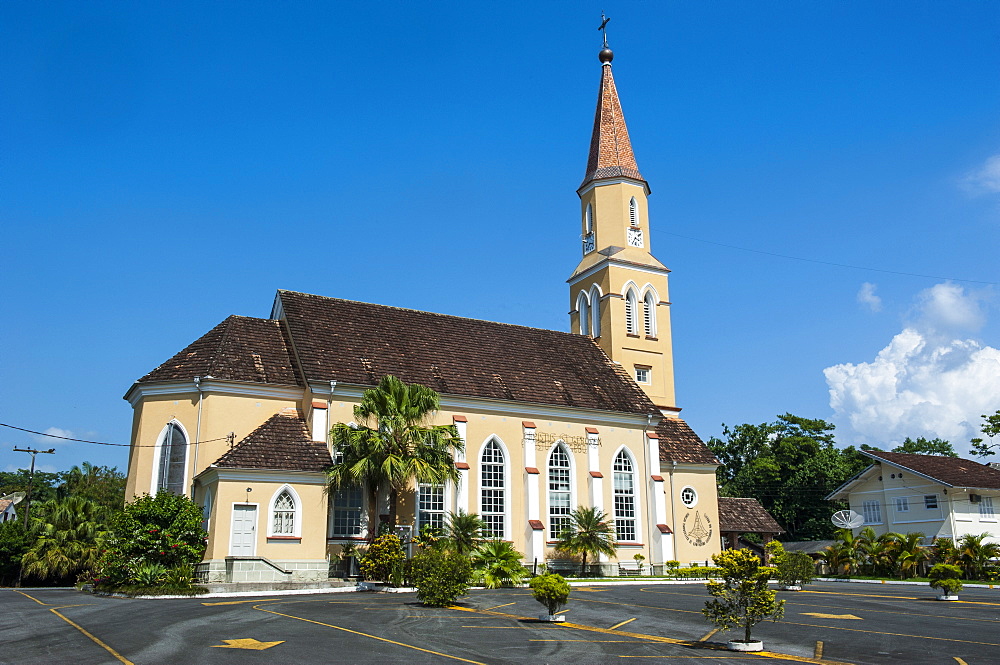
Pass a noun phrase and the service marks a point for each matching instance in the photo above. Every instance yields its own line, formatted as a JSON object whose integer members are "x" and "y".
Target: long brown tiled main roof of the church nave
{"x": 354, "y": 342}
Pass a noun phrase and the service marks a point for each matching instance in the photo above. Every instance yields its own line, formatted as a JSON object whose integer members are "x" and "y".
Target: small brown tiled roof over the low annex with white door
{"x": 283, "y": 442}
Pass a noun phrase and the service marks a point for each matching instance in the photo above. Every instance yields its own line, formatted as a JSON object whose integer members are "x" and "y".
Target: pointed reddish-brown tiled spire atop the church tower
{"x": 610, "y": 149}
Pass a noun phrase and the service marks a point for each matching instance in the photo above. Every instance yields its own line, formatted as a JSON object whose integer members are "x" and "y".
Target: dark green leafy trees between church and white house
{"x": 790, "y": 466}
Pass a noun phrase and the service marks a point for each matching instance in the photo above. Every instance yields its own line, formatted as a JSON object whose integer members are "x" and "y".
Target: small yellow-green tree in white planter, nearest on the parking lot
{"x": 742, "y": 599}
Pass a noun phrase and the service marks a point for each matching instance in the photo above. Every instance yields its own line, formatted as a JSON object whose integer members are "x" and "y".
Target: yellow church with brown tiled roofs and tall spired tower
{"x": 239, "y": 420}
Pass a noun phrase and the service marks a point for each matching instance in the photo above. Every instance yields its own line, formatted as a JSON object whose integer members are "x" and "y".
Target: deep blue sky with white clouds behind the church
{"x": 167, "y": 164}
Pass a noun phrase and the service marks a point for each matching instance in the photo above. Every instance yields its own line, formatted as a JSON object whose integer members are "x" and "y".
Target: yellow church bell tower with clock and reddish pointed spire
{"x": 618, "y": 292}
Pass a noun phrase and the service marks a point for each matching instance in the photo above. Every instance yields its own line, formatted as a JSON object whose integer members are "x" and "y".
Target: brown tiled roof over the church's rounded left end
{"x": 238, "y": 349}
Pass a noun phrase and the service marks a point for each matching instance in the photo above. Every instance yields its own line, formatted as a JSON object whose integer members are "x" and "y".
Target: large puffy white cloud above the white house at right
{"x": 929, "y": 381}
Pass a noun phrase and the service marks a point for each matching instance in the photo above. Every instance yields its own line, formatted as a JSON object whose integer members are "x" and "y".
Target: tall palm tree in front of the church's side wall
{"x": 394, "y": 445}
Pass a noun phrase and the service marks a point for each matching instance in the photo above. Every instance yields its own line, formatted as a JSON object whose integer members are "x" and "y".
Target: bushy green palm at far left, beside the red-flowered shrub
{"x": 68, "y": 535}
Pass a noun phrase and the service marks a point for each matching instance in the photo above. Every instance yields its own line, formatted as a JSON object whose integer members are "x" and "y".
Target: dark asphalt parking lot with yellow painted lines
{"x": 828, "y": 622}
